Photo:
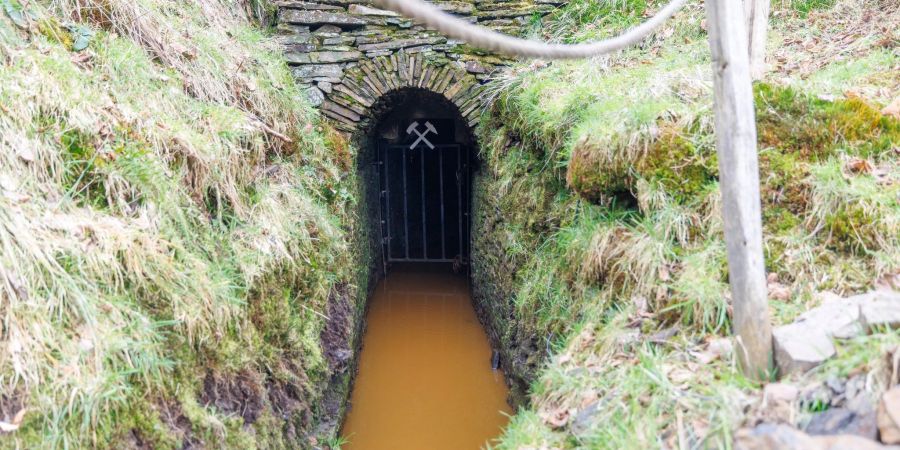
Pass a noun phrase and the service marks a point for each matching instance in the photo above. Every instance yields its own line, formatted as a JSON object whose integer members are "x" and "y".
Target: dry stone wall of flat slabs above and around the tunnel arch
{"x": 349, "y": 54}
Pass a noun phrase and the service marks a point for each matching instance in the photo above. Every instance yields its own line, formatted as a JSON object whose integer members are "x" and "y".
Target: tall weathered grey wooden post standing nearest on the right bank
{"x": 739, "y": 178}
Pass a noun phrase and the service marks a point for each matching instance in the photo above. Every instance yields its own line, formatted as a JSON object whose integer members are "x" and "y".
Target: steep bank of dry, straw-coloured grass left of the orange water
{"x": 175, "y": 224}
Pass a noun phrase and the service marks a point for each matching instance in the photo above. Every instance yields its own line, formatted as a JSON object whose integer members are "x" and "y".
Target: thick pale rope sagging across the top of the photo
{"x": 491, "y": 40}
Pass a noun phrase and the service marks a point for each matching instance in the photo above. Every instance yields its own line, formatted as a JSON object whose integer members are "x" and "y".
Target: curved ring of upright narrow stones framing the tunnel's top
{"x": 348, "y": 104}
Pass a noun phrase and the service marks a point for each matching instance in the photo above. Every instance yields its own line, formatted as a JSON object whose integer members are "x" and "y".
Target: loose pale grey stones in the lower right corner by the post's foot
{"x": 861, "y": 411}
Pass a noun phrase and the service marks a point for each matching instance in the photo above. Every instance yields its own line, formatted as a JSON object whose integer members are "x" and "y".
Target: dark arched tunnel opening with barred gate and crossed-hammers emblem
{"x": 421, "y": 153}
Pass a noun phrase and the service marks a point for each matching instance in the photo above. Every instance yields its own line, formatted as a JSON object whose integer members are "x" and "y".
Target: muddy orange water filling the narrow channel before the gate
{"x": 425, "y": 378}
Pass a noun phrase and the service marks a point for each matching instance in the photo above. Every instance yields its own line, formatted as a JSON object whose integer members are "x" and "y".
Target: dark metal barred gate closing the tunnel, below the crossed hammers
{"x": 425, "y": 202}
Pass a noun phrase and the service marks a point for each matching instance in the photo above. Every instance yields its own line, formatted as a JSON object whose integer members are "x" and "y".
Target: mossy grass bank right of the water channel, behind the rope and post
{"x": 597, "y": 218}
